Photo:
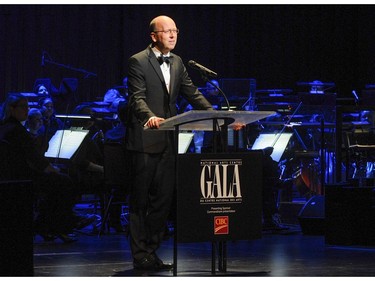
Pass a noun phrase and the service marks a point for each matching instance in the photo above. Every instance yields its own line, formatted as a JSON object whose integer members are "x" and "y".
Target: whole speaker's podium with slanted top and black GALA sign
{"x": 219, "y": 199}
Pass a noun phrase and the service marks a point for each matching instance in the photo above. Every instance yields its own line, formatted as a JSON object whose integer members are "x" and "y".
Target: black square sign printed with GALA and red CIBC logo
{"x": 219, "y": 197}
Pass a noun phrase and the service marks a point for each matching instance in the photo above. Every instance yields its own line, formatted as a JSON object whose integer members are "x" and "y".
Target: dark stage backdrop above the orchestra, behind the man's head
{"x": 278, "y": 45}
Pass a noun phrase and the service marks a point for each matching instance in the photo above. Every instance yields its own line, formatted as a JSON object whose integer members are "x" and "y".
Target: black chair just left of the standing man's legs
{"x": 116, "y": 178}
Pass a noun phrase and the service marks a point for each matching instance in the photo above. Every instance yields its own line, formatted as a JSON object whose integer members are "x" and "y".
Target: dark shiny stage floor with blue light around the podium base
{"x": 274, "y": 255}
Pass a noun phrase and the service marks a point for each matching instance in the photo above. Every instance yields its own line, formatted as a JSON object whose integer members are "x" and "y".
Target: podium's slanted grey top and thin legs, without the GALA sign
{"x": 207, "y": 120}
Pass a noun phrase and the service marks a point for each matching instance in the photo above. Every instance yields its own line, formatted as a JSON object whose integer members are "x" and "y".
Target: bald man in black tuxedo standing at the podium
{"x": 156, "y": 78}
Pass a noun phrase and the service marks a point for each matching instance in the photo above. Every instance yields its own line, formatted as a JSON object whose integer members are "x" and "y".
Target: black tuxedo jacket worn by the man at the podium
{"x": 149, "y": 97}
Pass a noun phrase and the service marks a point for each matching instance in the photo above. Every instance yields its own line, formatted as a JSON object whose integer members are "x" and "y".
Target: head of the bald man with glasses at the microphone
{"x": 165, "y": 35}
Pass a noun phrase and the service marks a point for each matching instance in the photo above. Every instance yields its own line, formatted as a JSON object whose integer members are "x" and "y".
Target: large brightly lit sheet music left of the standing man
{"x": 65, "y": 143}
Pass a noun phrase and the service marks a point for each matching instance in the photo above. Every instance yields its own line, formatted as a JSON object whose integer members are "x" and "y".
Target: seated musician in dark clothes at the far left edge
{"x": 54, "y": 191}
